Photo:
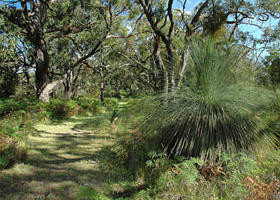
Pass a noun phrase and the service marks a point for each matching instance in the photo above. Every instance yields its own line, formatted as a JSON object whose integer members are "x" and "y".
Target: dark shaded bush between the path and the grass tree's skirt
{"x": 125, "y": 160}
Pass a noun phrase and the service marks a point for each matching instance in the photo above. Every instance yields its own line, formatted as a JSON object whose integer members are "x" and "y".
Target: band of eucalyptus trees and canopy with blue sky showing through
{"x": 126, "y": 45}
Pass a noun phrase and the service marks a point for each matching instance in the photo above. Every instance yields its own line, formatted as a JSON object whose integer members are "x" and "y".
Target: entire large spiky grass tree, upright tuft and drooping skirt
{"x": 213, "y": 111}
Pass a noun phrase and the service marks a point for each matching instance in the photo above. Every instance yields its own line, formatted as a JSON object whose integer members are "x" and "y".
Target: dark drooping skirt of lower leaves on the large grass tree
{"x": 199, "y": 134}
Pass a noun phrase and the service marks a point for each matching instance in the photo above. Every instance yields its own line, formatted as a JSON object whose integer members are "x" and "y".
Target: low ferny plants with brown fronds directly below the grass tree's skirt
{"x": 190, "y": 179}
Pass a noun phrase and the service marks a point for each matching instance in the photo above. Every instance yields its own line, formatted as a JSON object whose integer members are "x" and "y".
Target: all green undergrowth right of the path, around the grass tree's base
{"x": 136, "y": 169}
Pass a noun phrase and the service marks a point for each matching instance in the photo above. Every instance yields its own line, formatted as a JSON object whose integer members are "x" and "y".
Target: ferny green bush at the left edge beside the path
{"x": 16, "y": 120}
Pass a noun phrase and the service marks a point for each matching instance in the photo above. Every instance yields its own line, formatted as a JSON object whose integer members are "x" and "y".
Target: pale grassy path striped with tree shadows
{"x": 62, "y": 157}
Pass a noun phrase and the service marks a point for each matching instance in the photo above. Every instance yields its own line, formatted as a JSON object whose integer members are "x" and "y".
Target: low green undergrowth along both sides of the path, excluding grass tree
{"x": 134, "y": 167}
